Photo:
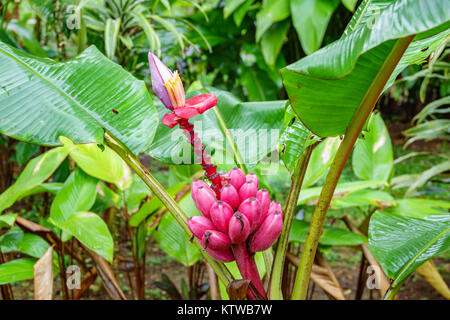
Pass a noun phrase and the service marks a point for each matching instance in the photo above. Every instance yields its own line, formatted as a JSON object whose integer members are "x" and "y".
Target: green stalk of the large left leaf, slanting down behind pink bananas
{"x": 222, "y": 272}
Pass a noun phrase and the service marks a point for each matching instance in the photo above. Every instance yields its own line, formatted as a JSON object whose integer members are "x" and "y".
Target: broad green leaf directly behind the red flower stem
{"x": 254, "y": 128}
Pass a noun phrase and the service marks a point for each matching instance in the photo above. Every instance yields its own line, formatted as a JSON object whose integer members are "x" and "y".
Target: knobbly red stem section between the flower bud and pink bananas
{"x": 199, "y": 151}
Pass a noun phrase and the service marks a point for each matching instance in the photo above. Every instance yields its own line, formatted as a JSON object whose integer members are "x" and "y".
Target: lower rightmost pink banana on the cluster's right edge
{"x": 267, "y": 233}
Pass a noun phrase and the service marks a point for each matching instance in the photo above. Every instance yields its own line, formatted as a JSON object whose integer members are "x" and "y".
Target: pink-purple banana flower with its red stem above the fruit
{"x": 169, "y": 89}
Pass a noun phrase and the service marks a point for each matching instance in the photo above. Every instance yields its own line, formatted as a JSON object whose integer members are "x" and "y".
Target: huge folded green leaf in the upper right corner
{"x": 326, "y": 87}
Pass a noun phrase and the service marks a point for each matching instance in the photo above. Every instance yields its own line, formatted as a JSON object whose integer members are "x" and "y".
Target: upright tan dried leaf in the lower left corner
{"x": 43, "y": 276}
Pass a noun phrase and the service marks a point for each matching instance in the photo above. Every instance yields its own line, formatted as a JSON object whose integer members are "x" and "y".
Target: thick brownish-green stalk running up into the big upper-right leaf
{"x": 352, "y": 133}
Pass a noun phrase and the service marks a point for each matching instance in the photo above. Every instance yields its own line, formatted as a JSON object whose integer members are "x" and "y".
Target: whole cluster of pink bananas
{"x": 243, "y": 214}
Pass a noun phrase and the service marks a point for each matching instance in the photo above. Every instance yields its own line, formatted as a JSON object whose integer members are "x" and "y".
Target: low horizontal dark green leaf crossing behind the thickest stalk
{"x": 330, "y": 236}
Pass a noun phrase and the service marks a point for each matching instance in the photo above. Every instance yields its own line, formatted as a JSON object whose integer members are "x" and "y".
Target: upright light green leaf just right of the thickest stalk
{"x": 373, "y": 158}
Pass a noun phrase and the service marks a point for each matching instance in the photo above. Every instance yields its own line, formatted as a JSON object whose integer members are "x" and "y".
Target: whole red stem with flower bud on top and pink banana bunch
{"x": 237, "y": 219}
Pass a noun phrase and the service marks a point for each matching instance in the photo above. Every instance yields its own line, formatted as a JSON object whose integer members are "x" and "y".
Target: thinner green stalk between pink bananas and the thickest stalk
{"x": 275, "y": 292}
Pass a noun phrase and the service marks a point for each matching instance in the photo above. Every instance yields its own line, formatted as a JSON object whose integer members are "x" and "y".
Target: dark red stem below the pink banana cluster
{"x": 247, "y": 266}
